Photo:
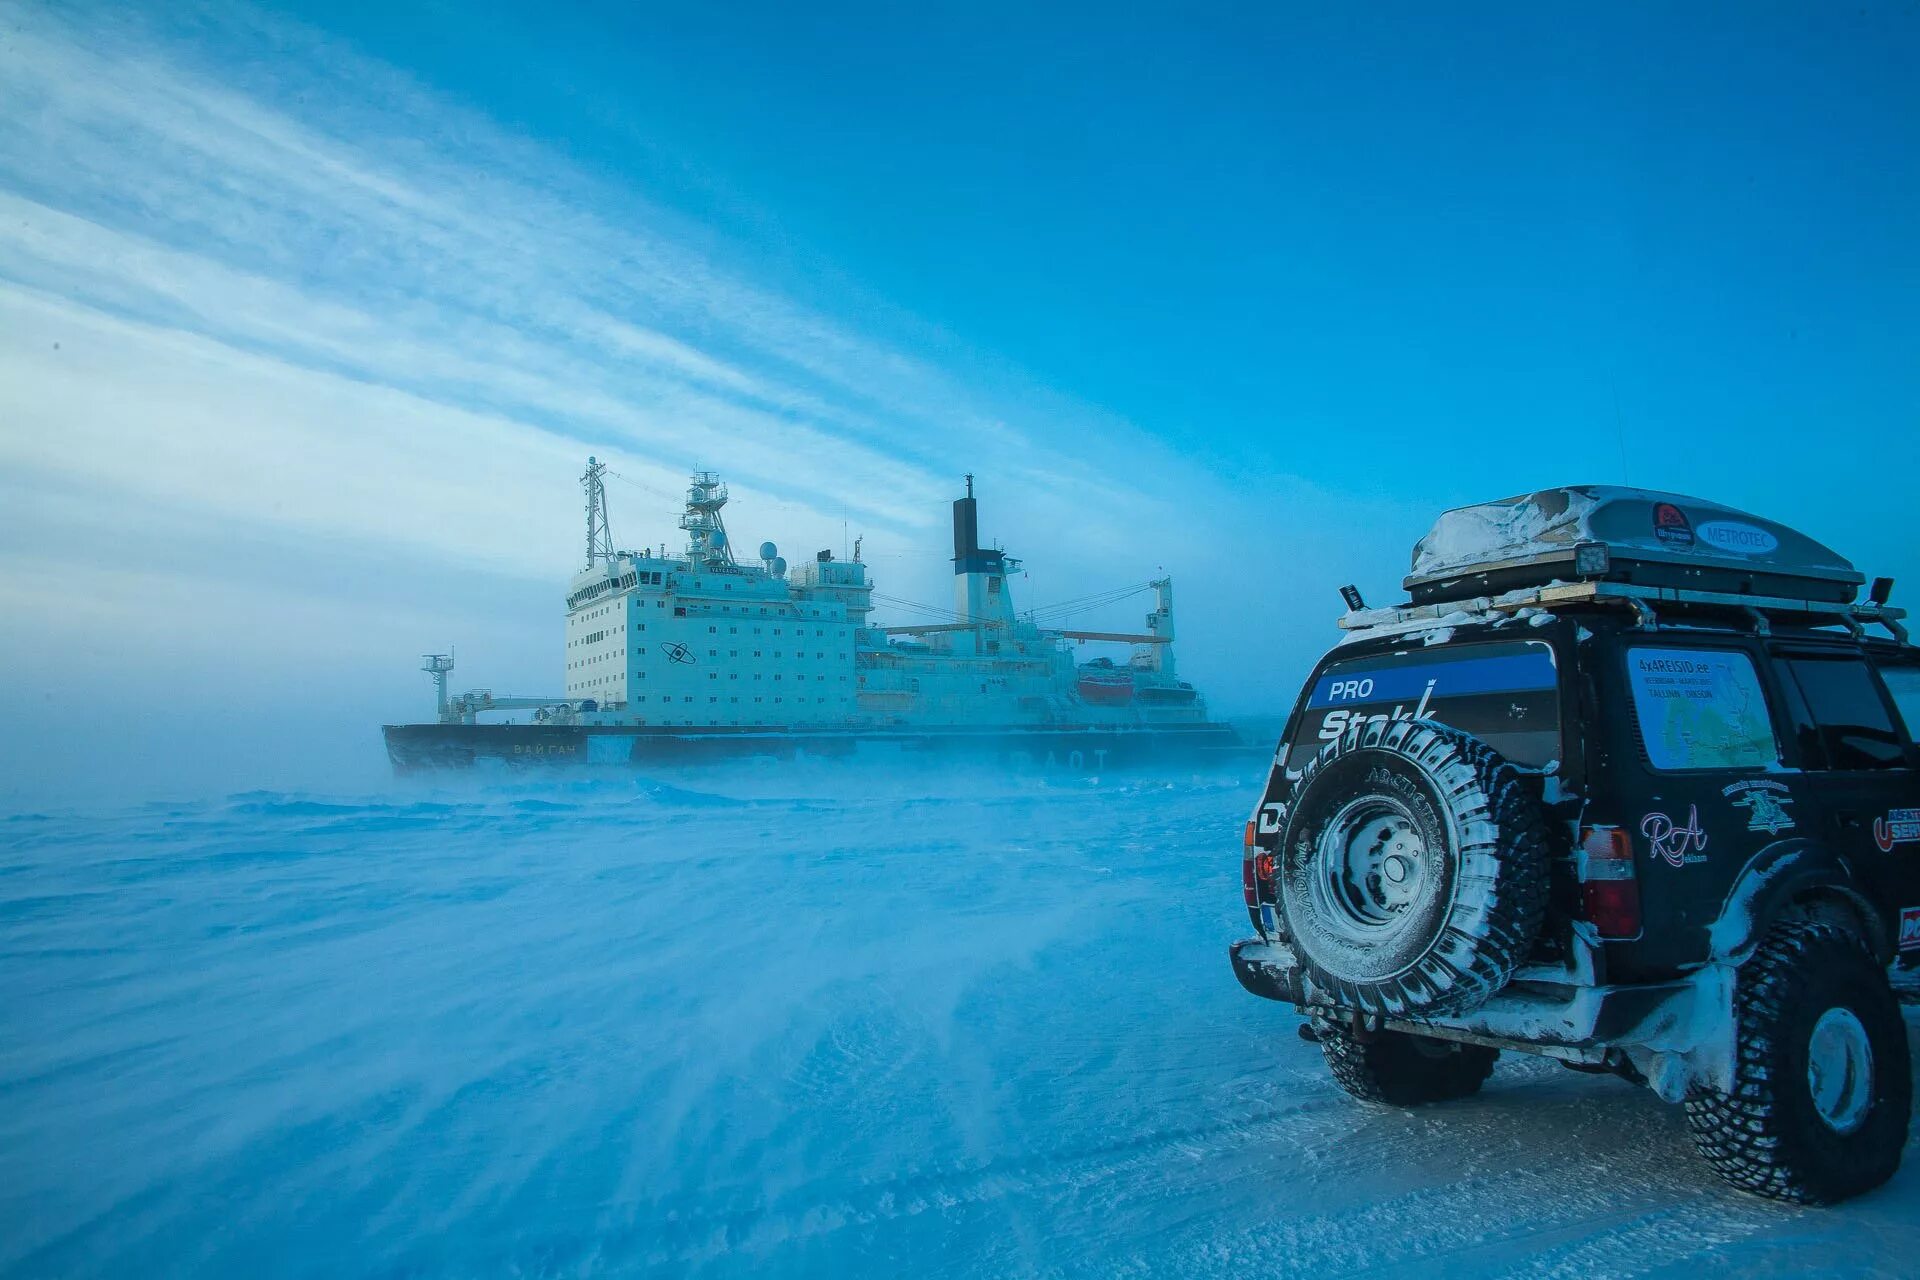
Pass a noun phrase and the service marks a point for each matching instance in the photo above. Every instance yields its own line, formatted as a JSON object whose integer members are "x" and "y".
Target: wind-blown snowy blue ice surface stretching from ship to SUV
{"x": 821, "y": 1022}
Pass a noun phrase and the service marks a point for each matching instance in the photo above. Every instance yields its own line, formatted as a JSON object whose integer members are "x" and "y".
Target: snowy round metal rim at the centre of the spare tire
{"x": 1370, "y": 870}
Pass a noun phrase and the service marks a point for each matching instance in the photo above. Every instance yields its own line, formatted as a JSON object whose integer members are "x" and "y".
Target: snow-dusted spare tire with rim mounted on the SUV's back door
{"x": 1414, "y": 870}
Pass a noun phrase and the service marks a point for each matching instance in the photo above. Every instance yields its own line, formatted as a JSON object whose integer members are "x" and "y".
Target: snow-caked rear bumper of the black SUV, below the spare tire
{"x": 1679, "y": 1035}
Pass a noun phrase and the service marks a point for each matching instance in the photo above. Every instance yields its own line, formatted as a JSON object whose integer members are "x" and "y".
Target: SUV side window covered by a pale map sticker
{"x": 1702, "y": 709}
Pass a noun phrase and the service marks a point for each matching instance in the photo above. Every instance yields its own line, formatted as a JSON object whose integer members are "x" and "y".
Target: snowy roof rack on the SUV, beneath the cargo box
{"x": 1760, "y": 609}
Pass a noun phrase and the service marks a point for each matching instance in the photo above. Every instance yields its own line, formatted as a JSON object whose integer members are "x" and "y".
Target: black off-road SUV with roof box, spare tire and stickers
{"x": 1631, "y": 784}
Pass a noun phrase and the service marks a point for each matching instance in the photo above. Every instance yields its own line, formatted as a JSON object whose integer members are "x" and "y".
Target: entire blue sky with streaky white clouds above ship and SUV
{"x": 308, "y": 316}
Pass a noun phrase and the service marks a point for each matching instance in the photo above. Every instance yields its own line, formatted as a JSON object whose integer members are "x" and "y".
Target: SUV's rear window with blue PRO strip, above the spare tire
{"x": 1504, "y": 694}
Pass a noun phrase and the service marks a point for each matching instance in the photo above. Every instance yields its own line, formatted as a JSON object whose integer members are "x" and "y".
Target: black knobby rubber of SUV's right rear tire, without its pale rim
{"x": 1767, "y": 1135}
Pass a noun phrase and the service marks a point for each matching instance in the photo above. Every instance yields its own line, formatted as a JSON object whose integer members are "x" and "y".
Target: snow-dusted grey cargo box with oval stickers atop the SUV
{"x": 1652, "y": 540}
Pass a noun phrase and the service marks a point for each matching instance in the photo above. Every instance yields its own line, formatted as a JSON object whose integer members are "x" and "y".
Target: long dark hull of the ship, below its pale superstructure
{"x": 421, "y": 747}
